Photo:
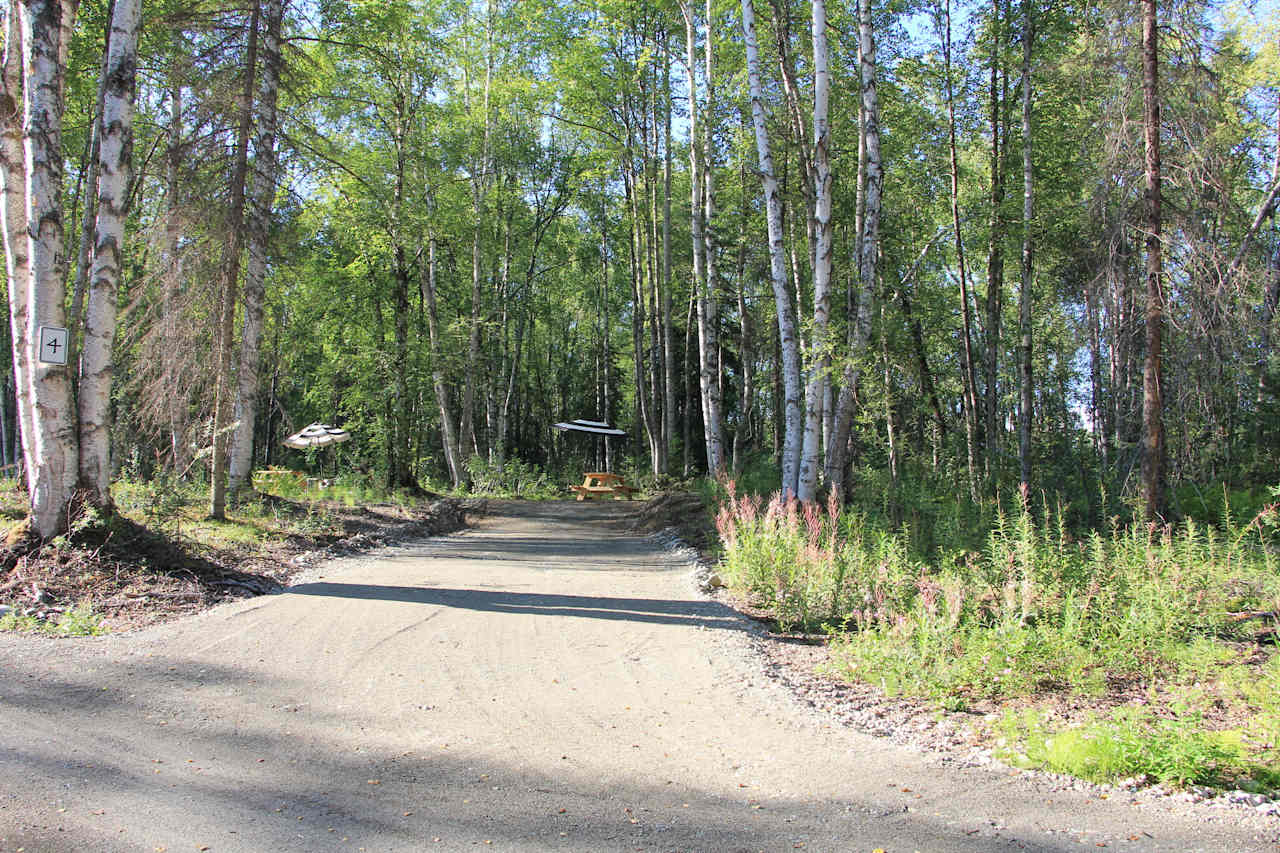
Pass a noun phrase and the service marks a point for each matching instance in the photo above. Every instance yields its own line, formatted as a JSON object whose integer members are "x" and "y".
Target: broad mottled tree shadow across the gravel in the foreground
{"x": 214, "y": 779}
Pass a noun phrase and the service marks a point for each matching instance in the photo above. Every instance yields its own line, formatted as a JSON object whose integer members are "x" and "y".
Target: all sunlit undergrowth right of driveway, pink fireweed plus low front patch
{"x": 1185, "y": 613}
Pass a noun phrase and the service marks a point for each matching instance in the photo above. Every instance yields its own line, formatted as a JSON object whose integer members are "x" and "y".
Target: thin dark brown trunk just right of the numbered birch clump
{"x": 231, "y": 276}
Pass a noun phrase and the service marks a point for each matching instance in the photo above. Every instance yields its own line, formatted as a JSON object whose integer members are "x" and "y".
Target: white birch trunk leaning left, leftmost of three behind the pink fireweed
{"x": 788, "y": 336}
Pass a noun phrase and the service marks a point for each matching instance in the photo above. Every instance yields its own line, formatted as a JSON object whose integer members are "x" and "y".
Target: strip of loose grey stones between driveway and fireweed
{"x": 788, "y": 668}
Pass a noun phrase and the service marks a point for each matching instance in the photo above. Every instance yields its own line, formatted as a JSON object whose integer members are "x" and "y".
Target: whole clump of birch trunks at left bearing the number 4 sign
{"x": 61, "y": 450}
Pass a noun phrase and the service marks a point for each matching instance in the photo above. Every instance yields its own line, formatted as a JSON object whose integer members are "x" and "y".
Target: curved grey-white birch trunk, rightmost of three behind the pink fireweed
{"x": 861, "y": 326}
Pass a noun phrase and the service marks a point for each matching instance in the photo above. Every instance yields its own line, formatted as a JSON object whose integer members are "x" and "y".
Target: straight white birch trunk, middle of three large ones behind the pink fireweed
{"x": 811, "y": 463}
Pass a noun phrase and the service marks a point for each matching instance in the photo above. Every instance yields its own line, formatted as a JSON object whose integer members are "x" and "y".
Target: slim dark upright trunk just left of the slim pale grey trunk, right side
{"x": 995, "y": 252}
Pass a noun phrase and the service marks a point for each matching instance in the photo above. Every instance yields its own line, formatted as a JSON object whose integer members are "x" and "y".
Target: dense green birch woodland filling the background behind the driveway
{"x": 915, "y": 247}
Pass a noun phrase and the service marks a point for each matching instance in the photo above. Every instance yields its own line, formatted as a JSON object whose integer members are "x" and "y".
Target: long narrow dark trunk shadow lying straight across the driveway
{"x": 639, "y": 610}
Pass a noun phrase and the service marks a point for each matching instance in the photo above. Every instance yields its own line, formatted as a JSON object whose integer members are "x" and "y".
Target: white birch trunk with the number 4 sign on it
{"x": 54, "y": 457}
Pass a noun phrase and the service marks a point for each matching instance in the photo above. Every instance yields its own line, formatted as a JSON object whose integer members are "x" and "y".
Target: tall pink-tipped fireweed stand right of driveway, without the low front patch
{"x": 1035, "y": 608}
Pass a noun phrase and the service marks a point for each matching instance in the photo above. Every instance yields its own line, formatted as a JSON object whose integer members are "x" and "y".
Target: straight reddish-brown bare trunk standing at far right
{"x": 1153, "y": 391}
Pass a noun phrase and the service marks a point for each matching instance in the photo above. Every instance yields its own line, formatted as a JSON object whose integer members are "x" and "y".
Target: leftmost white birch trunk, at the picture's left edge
{"x": 13, "y": 185}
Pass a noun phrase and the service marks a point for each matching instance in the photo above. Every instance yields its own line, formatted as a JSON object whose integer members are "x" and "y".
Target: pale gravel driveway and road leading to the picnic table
{"x": 541, "y": 682}
